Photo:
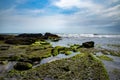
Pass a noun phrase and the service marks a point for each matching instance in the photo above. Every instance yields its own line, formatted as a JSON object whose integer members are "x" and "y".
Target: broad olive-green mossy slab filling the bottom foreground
{"x": 80, "y": 67}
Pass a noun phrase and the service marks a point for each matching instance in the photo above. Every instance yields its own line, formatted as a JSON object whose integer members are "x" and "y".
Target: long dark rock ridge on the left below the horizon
{"x": 27, "y": 39}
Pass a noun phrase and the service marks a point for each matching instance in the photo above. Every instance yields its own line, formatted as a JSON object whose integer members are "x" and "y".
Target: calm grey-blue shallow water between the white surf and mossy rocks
{"x": 99, "y": 42}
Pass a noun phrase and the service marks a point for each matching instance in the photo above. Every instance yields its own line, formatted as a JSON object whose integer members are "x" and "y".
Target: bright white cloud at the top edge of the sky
{"x": 85, "y": 4}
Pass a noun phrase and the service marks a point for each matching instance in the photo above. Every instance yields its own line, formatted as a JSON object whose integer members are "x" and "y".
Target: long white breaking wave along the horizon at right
{"x": 89, "y": 35}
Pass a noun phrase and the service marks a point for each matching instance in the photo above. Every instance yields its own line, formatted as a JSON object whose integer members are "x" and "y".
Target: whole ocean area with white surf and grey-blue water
{"x": 108, "y": 41}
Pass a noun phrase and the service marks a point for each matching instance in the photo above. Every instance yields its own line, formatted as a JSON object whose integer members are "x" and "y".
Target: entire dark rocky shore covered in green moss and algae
{"x": 26, "y": 51}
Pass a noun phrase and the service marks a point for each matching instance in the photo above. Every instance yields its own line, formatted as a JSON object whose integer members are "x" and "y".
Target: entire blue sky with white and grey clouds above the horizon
{"x": 60, "y": 16}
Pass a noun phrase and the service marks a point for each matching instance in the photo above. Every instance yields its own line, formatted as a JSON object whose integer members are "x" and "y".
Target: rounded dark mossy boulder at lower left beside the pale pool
{"x": 23, "y": 66}
